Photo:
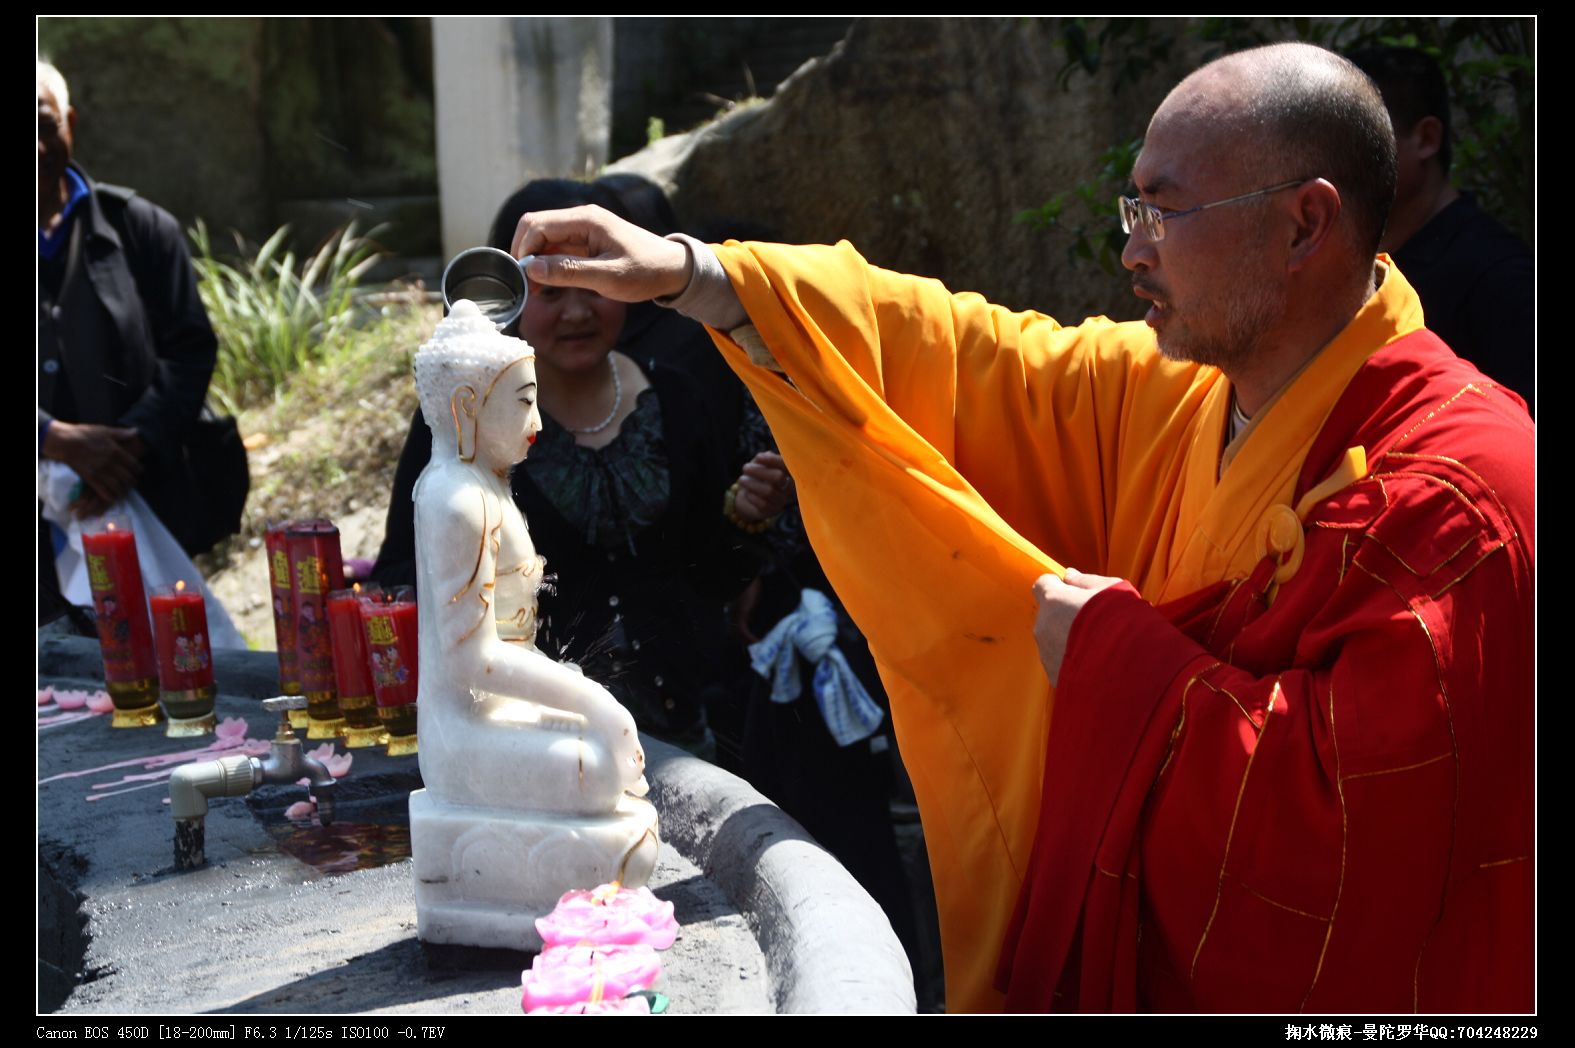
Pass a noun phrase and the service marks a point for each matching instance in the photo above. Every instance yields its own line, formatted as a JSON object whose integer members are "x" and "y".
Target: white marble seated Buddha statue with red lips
{"x": 533, "y": 771}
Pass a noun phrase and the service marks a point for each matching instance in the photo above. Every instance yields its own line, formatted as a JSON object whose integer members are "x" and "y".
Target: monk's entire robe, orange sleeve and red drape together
{"x": 949, "y": 452}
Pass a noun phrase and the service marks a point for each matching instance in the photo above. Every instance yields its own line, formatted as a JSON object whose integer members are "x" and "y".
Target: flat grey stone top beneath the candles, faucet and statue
{"x": 292, "y": 916}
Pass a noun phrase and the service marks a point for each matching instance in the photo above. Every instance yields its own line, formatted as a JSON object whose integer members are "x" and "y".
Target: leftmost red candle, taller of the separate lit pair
{"x": 125, "y": 639}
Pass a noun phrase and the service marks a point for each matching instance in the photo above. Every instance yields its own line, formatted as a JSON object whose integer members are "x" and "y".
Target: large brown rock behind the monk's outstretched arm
{"x": 921, "y": 141}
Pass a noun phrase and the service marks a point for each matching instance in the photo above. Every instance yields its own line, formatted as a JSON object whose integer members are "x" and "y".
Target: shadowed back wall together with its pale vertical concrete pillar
{"x": 254, "y": 122}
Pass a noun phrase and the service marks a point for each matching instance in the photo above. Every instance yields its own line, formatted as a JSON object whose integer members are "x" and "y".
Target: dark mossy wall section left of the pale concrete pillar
{"x": 250, "y": 122}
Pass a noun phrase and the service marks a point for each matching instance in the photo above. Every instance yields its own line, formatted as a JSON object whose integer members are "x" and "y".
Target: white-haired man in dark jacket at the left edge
{"x": 125, "y": 351}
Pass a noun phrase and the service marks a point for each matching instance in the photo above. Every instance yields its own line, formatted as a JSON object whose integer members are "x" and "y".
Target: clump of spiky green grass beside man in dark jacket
{"x": 275, "y": 313}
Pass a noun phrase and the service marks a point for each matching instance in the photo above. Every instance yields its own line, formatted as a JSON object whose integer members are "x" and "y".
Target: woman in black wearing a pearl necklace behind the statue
{"x": 624, "y": 499}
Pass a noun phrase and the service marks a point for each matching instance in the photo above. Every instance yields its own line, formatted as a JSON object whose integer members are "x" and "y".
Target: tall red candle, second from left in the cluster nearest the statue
{"x": 316, "y": 571}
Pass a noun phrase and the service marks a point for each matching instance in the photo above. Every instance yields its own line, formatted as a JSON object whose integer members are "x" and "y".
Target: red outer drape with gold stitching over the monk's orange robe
{"x": 1324, "y": 803}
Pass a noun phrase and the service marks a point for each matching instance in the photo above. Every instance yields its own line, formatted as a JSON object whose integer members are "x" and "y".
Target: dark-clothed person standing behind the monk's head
{"x": 1475, "y": 278}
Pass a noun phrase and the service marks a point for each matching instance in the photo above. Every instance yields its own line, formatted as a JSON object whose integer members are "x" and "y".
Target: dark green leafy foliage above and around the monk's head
{"x": 1488, "y": 64}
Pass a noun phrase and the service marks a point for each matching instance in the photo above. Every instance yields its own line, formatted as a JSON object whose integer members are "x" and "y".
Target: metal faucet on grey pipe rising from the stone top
{"x": 237, "y": 776}
